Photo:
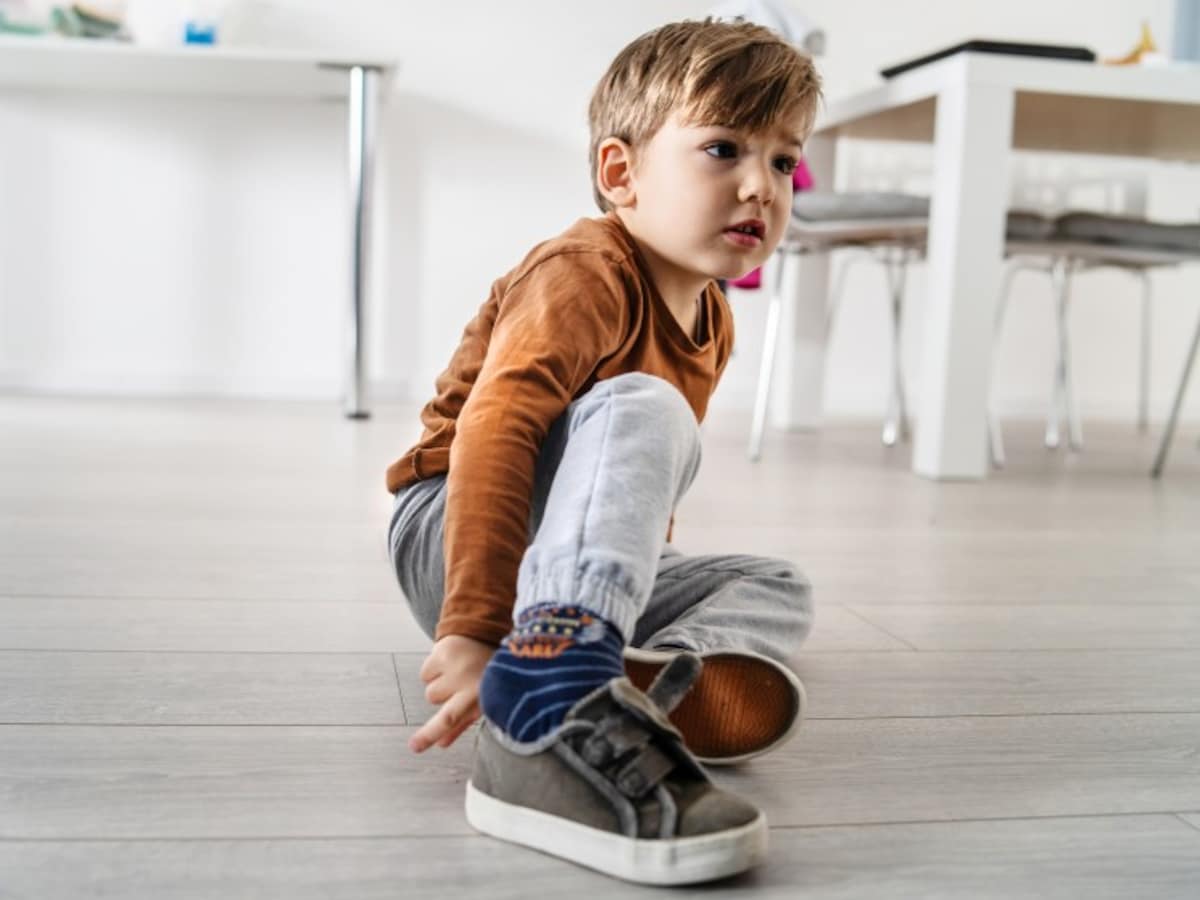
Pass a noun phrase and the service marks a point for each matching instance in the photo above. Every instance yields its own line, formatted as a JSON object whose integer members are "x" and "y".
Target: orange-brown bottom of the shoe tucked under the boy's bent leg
{"x": 741, "y": 706}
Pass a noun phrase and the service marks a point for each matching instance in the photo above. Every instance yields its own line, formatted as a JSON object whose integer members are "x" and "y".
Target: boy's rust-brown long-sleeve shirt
{"x": 580, "y": 309}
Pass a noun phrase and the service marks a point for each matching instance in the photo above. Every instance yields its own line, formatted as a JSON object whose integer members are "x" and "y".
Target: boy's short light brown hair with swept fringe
{"x": 737, "y": 75}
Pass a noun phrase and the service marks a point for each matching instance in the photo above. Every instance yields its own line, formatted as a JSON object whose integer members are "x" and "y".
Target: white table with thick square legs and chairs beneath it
{"x": 974, "y": 107}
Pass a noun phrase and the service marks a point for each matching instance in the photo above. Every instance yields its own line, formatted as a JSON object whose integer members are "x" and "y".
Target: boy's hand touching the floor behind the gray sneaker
{"x": 452, "y": 675}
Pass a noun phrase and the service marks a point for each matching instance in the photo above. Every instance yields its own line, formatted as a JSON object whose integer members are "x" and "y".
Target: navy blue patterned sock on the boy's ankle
{"x": 555, "y": 657}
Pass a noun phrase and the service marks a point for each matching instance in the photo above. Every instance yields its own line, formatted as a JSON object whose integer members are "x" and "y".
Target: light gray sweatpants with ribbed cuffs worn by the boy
{"x": 609, "y": 477}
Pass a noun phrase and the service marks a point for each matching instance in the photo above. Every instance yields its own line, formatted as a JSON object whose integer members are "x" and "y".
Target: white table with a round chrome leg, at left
{"x": 56, "y": 64}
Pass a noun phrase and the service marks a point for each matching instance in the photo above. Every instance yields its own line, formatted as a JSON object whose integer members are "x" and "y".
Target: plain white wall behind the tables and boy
{"x": 160, "y": 245}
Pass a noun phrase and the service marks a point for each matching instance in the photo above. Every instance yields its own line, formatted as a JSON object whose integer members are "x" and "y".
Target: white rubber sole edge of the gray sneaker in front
{"x": 680, "y": 861}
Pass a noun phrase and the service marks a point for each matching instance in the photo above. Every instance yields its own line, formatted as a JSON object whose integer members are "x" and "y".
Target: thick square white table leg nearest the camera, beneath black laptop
{"x": 967, "y": 244}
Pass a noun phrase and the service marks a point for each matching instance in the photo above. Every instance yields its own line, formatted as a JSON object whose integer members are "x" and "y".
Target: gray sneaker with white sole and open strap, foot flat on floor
{"x": 615, "y": 789}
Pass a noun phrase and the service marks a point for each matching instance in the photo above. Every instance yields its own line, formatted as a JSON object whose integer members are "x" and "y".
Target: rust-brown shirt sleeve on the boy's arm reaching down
{"x": 554, "y": 329}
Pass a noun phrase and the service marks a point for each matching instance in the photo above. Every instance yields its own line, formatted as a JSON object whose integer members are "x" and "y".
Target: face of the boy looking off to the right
{"x": 710, "y": 202}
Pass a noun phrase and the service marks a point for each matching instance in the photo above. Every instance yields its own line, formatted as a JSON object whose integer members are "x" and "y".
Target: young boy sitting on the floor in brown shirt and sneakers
{"x": 535, "y": 512}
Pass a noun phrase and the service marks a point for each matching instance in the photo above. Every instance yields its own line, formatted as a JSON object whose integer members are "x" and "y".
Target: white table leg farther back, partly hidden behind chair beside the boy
{"x": 800, "y": 368}
